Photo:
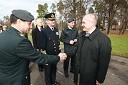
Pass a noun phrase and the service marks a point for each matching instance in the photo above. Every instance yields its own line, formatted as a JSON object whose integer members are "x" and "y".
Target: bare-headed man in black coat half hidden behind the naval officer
{"x": 36, "y": 37}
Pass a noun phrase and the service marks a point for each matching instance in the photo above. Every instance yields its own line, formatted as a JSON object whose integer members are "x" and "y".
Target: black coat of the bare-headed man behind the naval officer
{"x": 36, "y": 38}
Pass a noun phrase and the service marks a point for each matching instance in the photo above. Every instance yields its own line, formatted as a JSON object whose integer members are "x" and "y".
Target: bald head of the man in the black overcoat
{"x": 89, "y": 22}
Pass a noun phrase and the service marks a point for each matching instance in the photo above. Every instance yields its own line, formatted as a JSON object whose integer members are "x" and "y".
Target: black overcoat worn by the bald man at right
{"x": 93, "y": 57}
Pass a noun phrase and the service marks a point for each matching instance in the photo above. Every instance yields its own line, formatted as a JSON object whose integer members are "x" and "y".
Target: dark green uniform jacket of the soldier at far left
{"x": 16, "y": 51}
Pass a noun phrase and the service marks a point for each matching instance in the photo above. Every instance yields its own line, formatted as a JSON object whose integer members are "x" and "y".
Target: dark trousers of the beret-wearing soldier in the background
{"x": 72, "y": 63}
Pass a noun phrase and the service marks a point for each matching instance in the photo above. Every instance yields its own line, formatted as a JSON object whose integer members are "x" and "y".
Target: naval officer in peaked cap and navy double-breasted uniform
{"x": 50, "y": 39}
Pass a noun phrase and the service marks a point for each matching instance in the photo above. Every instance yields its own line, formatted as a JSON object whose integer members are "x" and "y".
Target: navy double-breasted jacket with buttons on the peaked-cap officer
{"x": 50, "y": 40}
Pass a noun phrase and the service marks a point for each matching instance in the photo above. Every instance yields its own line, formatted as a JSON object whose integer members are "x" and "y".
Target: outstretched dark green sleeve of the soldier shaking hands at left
{"x": 25, "y": 50}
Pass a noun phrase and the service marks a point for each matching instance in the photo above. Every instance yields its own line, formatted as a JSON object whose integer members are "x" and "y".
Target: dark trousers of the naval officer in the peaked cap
{"x": 50, "y": 73}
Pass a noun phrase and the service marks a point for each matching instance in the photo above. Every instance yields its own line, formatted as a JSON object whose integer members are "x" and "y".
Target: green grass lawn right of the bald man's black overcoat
{"x": 119, "y": 45}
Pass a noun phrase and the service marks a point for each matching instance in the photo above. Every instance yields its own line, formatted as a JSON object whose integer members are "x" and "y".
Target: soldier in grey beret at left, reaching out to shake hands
{"x": 16, "y": 51}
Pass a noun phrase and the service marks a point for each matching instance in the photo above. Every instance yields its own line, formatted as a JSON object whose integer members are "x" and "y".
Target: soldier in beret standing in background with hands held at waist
{"x": 69, "y": 38}
